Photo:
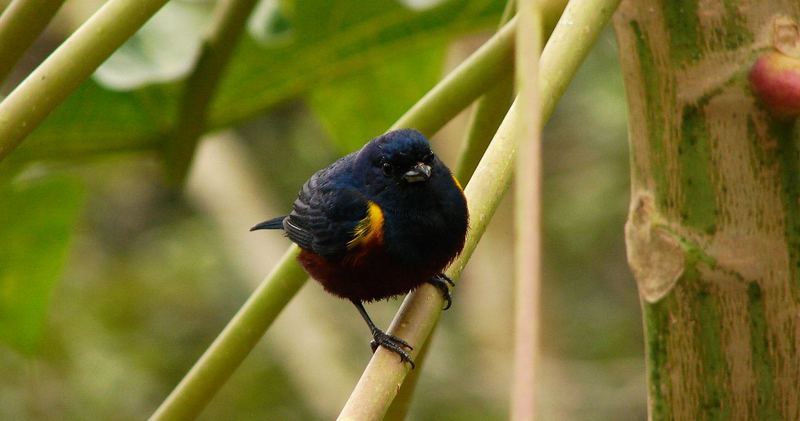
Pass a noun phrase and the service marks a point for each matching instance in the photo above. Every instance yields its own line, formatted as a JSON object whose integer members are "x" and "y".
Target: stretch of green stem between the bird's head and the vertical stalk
{"x": 465, "y": 83}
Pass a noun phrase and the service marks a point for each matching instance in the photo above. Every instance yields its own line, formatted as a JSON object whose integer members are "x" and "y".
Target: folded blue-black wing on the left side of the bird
{"x": 326, "y": 217}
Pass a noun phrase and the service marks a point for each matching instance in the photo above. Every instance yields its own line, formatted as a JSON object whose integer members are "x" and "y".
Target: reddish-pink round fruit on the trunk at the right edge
{"x": 775, "y": 79}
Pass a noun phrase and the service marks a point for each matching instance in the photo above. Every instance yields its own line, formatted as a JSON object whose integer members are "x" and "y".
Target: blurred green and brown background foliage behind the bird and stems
{"x": 113, "y": 281}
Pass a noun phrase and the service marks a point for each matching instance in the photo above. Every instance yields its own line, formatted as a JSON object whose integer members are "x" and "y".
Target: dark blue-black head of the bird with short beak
{"x": 401, "y": 157}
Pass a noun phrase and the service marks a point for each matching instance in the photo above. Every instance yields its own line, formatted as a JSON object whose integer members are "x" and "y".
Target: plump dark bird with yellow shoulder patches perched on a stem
{"x": 379, "y": 222}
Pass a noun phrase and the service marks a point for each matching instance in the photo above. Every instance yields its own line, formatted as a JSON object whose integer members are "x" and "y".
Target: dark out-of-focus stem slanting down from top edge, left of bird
{"x": 230, "y": 19}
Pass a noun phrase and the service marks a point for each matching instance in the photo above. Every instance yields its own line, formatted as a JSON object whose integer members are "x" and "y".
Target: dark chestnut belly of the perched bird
{"x": 372, "y": 277}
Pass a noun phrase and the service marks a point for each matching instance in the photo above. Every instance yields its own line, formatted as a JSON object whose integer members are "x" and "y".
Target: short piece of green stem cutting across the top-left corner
{"x": 20, "y": 24}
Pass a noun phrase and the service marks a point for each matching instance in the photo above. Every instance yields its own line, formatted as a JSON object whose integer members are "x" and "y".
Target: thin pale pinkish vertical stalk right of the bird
{"x": 528, "y": 215}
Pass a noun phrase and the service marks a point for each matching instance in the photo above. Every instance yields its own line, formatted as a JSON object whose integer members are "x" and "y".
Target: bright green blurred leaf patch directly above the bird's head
{"x": 359, "y": 107}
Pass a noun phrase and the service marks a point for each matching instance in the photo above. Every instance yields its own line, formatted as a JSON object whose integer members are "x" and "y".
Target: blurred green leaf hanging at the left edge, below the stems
{"x": 36, "y": 221}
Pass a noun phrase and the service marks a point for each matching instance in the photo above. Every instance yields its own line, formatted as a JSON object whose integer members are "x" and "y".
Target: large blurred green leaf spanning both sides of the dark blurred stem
{"x": 329, "y": 40}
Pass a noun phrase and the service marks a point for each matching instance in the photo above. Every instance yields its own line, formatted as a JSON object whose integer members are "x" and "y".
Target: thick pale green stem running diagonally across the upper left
{"x": 71, "y": 64}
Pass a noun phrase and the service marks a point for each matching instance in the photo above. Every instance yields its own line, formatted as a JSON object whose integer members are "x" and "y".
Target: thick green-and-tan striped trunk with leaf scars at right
{"x": 714, "y": 227}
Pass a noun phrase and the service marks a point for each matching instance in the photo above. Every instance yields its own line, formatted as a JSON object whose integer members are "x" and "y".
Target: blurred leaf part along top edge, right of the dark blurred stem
{"x": 332, "y": 40}
